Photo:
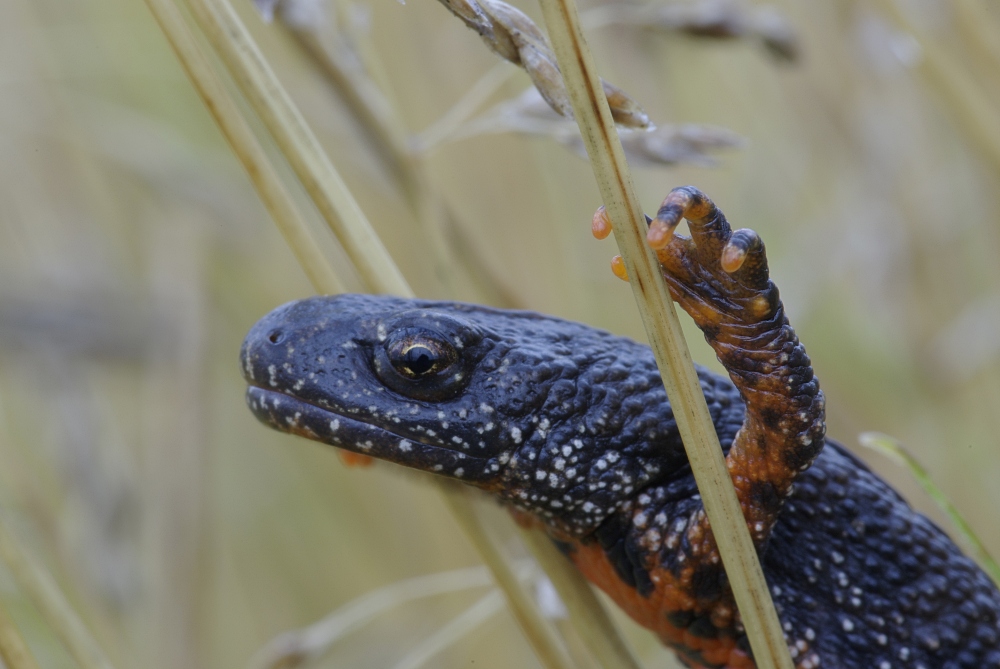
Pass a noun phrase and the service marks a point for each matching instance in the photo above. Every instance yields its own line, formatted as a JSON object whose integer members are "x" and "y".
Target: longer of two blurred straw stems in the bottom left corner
{"x": 39, "y": 587}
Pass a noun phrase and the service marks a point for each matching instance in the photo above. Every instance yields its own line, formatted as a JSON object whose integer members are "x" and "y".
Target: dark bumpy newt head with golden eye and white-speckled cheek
{"x": 557, "y": 418}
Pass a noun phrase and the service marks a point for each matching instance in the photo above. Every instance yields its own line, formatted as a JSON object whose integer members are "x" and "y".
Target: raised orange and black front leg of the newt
{"x": 720, "y": 278}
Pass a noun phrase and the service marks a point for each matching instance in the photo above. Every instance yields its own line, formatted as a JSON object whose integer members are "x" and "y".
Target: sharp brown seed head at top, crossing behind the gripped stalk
{"x": 512, "y": 35}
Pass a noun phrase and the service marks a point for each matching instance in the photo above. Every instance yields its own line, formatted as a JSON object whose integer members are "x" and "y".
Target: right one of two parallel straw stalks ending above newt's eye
{"x": 296, "y": 140}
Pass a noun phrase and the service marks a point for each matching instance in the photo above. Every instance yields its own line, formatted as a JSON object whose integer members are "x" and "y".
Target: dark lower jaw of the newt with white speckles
{"x": 289, "y": 414}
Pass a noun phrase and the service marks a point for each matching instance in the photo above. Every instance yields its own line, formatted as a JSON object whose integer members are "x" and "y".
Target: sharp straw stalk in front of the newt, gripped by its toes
{"x": 659, "y": 317}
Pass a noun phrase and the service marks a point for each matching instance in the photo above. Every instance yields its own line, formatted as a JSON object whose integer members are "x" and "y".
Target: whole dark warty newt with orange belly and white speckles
{"x": 571, "y": 425}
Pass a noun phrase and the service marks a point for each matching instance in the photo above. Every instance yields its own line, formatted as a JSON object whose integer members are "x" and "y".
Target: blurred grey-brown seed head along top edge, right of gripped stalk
{"x": 713, "y": 19}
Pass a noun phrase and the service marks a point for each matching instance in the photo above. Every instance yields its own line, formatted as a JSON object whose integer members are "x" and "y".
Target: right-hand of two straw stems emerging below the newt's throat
{"x": 586, "y": 613}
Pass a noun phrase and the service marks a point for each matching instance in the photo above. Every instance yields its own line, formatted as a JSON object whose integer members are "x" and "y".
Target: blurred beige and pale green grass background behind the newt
{"x": 134, "y": 255}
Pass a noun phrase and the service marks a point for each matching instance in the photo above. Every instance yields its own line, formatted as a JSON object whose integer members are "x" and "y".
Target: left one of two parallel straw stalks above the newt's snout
{"x": 248, "y": 150}
